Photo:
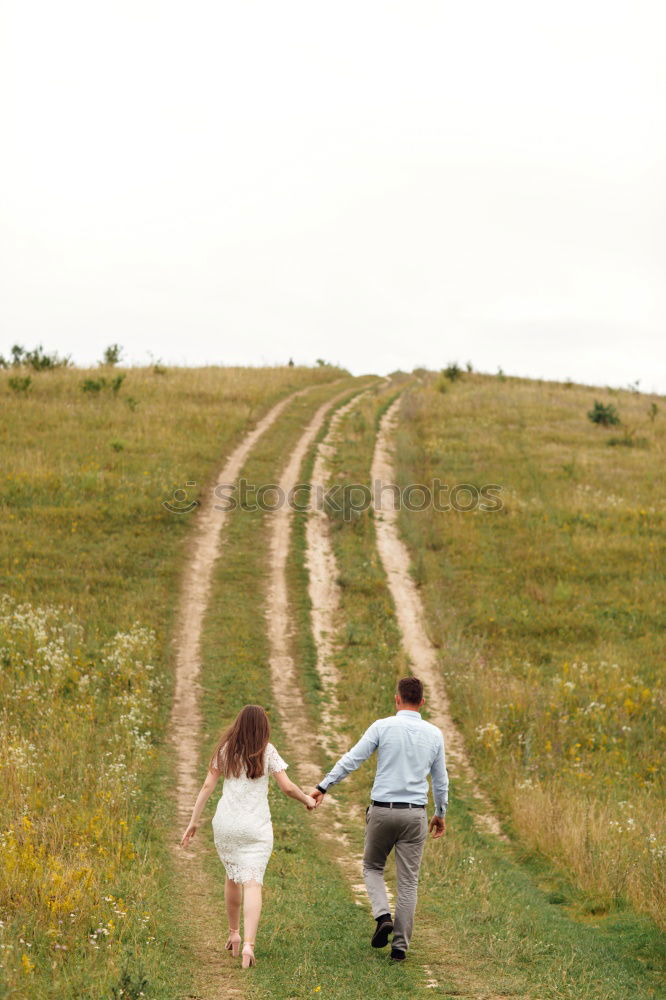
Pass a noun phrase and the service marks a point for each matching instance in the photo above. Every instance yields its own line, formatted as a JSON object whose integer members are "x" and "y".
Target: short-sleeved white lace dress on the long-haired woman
{"x": 242, "y": 827}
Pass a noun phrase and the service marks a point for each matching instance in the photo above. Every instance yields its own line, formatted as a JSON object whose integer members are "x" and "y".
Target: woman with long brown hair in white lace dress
{"x": 242, "y": 828}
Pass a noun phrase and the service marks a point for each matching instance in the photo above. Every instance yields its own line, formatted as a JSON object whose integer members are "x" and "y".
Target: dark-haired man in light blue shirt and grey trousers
{"x": 408, "y": 750}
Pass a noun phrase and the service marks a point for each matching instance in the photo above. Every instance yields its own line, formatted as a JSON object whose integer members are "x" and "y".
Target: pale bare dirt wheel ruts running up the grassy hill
{"x": 214, "y": 977}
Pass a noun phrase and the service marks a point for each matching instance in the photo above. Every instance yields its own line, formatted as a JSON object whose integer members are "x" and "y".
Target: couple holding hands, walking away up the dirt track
{"x": 409, "y": 749}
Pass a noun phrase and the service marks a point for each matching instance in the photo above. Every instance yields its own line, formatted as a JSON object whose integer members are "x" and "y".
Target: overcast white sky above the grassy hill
{"x": 381, "y": 184}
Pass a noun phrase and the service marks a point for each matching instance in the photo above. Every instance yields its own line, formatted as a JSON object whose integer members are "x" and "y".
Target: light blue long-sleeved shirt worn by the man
{"x": 408, "y": 750}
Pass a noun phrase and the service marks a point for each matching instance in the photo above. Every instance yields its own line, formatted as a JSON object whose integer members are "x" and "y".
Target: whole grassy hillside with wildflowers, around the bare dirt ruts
{"x": 547, "y": 614}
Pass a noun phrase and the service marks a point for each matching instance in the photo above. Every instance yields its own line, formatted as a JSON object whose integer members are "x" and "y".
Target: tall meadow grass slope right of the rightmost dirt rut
{"x": 549, "y": 613}
